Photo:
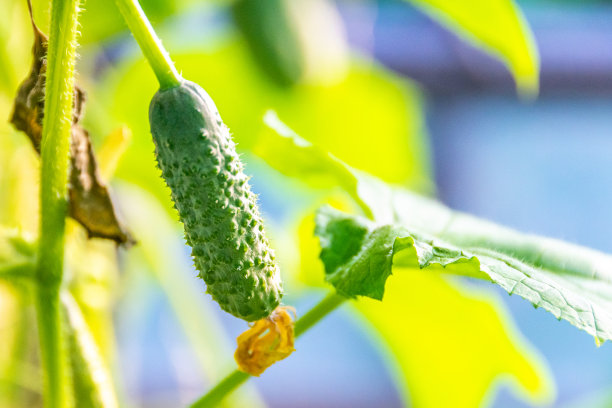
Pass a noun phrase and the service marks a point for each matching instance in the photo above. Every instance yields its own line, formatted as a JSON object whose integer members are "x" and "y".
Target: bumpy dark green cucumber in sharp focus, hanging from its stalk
{"x": 199, "y": 163}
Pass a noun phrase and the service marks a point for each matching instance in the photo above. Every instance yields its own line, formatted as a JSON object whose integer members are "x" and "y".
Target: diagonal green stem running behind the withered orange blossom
{"x": 237, "y": 377}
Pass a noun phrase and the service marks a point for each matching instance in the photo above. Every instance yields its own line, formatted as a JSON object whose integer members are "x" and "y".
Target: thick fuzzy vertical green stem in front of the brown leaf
{"x": 57, "y": 121}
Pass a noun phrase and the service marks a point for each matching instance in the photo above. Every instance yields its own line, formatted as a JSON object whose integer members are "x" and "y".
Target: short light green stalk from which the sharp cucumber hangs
{"x": 149, "y": 43}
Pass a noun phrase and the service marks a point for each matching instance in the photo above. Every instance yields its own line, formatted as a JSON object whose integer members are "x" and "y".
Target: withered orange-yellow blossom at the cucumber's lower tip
{"x": 267, "y": 341}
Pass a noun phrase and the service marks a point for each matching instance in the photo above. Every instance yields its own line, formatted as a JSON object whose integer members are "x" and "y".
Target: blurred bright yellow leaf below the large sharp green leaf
{"x": 448, "y": 344}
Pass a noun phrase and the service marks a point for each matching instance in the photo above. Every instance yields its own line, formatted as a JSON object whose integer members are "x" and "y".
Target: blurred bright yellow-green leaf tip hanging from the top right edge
{"x": 498, "y": 26}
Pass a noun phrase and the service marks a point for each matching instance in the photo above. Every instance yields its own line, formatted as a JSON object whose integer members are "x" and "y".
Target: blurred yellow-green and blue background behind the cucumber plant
{"x": 402, "y": 97}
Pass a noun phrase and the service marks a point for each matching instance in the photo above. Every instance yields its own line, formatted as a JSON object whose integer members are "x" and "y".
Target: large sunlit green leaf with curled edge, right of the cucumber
{"x": 571, "y": 282}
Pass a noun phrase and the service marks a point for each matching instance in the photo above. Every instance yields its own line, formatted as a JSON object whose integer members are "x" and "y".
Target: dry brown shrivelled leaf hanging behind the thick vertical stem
{"x": 89, "y": 200}
